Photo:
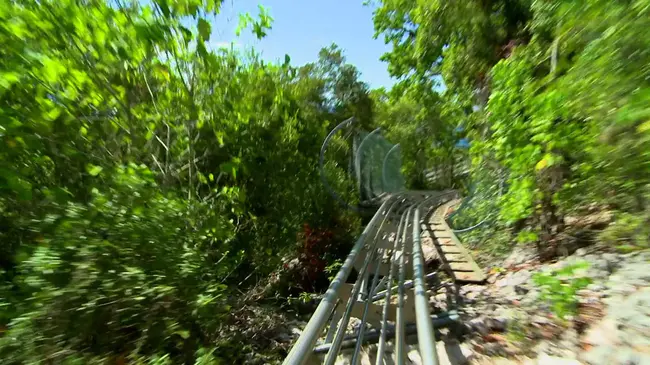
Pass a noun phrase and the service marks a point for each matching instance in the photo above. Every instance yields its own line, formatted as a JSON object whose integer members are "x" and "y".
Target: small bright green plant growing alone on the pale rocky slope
{"x": 559, "y": 287}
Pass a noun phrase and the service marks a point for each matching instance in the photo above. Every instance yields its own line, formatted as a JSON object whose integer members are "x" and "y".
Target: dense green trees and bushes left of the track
{"x": 145, "y": 177}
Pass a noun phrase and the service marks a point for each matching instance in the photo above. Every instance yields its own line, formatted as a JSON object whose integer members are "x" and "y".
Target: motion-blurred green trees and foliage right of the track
{"x": 554, "y": 93}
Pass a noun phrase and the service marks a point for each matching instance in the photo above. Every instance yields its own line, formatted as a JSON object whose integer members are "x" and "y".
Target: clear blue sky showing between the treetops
{"x": 302, "y": 27}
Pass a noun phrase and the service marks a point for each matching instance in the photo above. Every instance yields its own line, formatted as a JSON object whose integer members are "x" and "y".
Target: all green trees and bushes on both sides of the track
{"x": 148, "y": 181}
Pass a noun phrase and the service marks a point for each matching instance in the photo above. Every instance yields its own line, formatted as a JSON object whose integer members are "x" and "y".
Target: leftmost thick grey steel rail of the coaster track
{"x": 303, "y": 347}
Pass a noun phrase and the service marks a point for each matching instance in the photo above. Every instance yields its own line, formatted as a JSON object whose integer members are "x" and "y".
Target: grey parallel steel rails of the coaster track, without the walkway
{"x": 408, "y": 206}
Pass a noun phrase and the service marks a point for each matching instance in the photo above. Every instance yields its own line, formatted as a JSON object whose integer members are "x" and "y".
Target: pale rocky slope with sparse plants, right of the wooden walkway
{"x": 592, "y": 307}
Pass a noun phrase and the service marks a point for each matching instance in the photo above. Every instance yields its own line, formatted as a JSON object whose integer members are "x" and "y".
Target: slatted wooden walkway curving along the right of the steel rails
{"x": 456, "y": 260}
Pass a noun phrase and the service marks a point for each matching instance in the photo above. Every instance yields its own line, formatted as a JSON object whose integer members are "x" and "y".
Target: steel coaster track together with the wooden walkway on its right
{"x": 388, "y": 252}
